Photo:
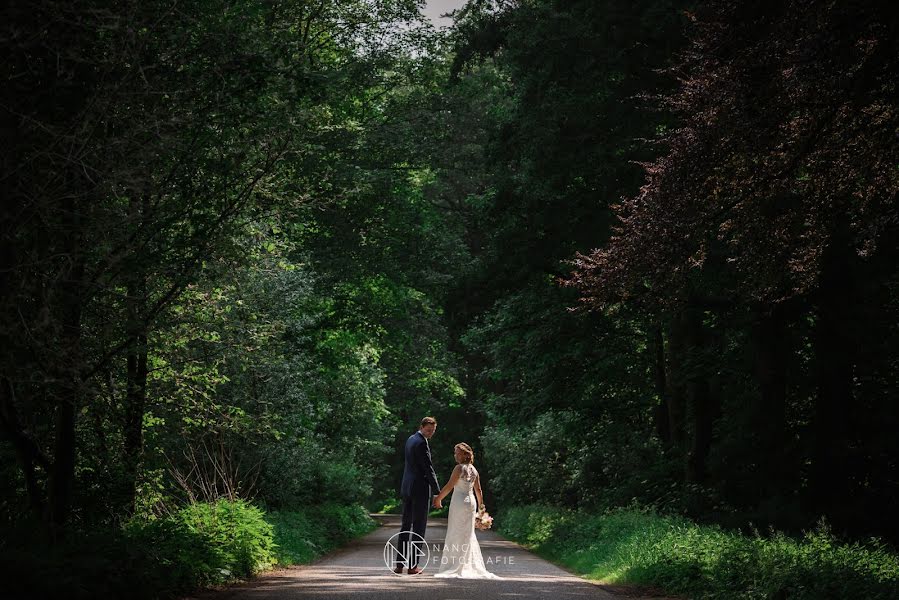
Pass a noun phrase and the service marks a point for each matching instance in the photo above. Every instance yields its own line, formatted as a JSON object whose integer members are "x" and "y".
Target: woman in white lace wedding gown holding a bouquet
{"x": 461, "y": 551}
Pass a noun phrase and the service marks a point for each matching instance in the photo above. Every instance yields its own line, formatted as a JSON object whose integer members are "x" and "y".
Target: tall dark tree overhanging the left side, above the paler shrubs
{"x": 145, "y": 137}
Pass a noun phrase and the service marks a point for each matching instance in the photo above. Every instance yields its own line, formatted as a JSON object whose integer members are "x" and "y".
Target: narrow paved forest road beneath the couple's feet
{"x": 358, "y": 571}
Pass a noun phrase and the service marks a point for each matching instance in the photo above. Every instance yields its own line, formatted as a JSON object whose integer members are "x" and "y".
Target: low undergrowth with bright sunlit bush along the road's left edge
{"x": 199, "y": 545}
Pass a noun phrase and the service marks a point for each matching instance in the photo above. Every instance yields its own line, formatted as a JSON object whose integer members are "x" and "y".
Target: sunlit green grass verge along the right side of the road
{"x": 642, "y": 547}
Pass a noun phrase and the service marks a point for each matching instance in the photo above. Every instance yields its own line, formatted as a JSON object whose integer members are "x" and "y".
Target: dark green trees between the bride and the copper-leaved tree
{"x": 545, "y": 151}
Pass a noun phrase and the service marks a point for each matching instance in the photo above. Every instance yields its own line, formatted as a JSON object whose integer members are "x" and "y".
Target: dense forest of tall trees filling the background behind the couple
{"x": 634, "y": 253}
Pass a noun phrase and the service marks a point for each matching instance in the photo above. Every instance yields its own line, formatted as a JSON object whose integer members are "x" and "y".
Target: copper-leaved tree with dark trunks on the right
{"x": 777, "y": 198}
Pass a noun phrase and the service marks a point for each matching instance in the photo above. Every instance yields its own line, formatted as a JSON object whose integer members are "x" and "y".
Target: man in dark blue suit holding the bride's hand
{"x": 419, "y": 488}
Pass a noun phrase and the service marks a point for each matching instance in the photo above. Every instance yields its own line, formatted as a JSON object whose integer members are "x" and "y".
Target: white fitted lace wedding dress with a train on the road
{"x": 461, "y": 552}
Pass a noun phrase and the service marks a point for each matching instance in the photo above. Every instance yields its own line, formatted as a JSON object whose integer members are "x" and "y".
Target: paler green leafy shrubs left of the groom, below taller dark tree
{"x": 297, "y": 400}
